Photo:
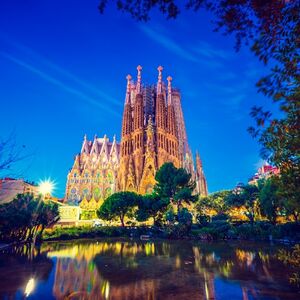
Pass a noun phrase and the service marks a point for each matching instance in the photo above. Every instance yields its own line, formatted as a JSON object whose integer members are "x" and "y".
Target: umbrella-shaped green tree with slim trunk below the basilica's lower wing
{"x": 118, "y": 206}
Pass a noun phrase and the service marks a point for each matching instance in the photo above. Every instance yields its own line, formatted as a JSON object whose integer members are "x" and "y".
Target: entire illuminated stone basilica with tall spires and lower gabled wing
{"x": 153, "y": 132}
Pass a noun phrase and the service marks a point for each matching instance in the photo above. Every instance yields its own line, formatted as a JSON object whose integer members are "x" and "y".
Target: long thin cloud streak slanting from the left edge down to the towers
{"x": 57, "y": 82}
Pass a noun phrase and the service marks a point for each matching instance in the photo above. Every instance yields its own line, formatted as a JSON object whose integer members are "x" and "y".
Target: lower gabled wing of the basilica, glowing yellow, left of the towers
{"x": 94, "y": 173}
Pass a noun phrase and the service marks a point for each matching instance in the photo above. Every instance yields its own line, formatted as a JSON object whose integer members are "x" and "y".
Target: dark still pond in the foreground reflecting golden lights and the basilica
{"x": 114, "y": 269}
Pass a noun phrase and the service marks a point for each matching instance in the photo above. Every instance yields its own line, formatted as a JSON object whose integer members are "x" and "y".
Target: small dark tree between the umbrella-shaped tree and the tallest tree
{"x": 151, "y": 206}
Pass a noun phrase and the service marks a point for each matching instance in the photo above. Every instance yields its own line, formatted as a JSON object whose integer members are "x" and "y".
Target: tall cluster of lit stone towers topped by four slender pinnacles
{"x": 153, "y": 133}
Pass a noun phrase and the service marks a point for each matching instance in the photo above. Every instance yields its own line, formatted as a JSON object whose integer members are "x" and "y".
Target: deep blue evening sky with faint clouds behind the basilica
{"x": 62, "y": 74}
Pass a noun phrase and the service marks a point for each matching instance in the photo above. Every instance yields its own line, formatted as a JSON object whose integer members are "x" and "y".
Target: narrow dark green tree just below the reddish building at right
{"x": 270, "y": 199}
